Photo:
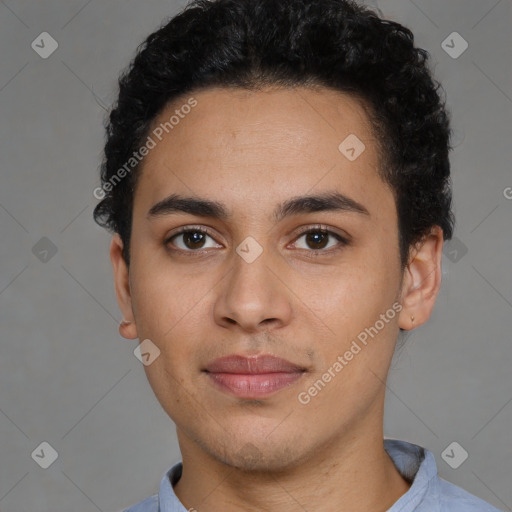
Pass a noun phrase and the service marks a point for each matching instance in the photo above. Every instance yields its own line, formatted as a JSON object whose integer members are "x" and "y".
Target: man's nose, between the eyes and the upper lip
{"x": 253, "y": 297}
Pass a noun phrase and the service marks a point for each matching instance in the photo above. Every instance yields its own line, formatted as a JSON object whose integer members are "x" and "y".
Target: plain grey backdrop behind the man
{"x": 66, "y": 375}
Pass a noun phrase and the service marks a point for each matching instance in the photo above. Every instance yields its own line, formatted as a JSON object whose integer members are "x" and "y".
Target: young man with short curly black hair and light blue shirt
{"x": 276, "y": 177}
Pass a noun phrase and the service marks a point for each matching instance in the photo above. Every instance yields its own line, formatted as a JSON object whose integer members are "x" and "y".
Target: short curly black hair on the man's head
{"x": 251, "y": 44}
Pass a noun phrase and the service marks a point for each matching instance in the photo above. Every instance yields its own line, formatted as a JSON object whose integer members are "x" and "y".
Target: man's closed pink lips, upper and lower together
{"x": 253, "y": 377}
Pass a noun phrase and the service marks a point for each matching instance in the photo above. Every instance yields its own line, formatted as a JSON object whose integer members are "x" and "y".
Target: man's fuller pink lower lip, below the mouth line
{"x": 253, "y": 385}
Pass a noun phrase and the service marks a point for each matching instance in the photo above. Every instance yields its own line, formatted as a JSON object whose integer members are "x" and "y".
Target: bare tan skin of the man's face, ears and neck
{"x": 251, "y": 151}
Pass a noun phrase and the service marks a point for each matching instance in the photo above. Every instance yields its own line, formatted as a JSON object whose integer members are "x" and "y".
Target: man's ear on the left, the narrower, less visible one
{"x": 127, "y": 327}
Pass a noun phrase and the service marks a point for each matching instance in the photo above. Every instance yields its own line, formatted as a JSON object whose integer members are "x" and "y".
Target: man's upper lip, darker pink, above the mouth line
{"x": 264, "y": 363}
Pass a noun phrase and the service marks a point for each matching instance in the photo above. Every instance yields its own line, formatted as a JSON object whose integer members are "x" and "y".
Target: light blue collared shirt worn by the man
{"x": 428, "y": 492}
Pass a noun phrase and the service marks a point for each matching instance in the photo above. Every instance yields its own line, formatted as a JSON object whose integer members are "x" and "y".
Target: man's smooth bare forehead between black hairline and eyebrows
{"x": 261, "y": 146}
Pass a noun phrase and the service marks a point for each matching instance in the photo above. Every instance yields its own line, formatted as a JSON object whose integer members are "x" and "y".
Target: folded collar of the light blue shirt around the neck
{"x": 414, "y": 463}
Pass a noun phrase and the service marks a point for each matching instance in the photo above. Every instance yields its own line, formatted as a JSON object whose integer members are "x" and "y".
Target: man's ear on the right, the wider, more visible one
{"x": 421, "y": 280}
